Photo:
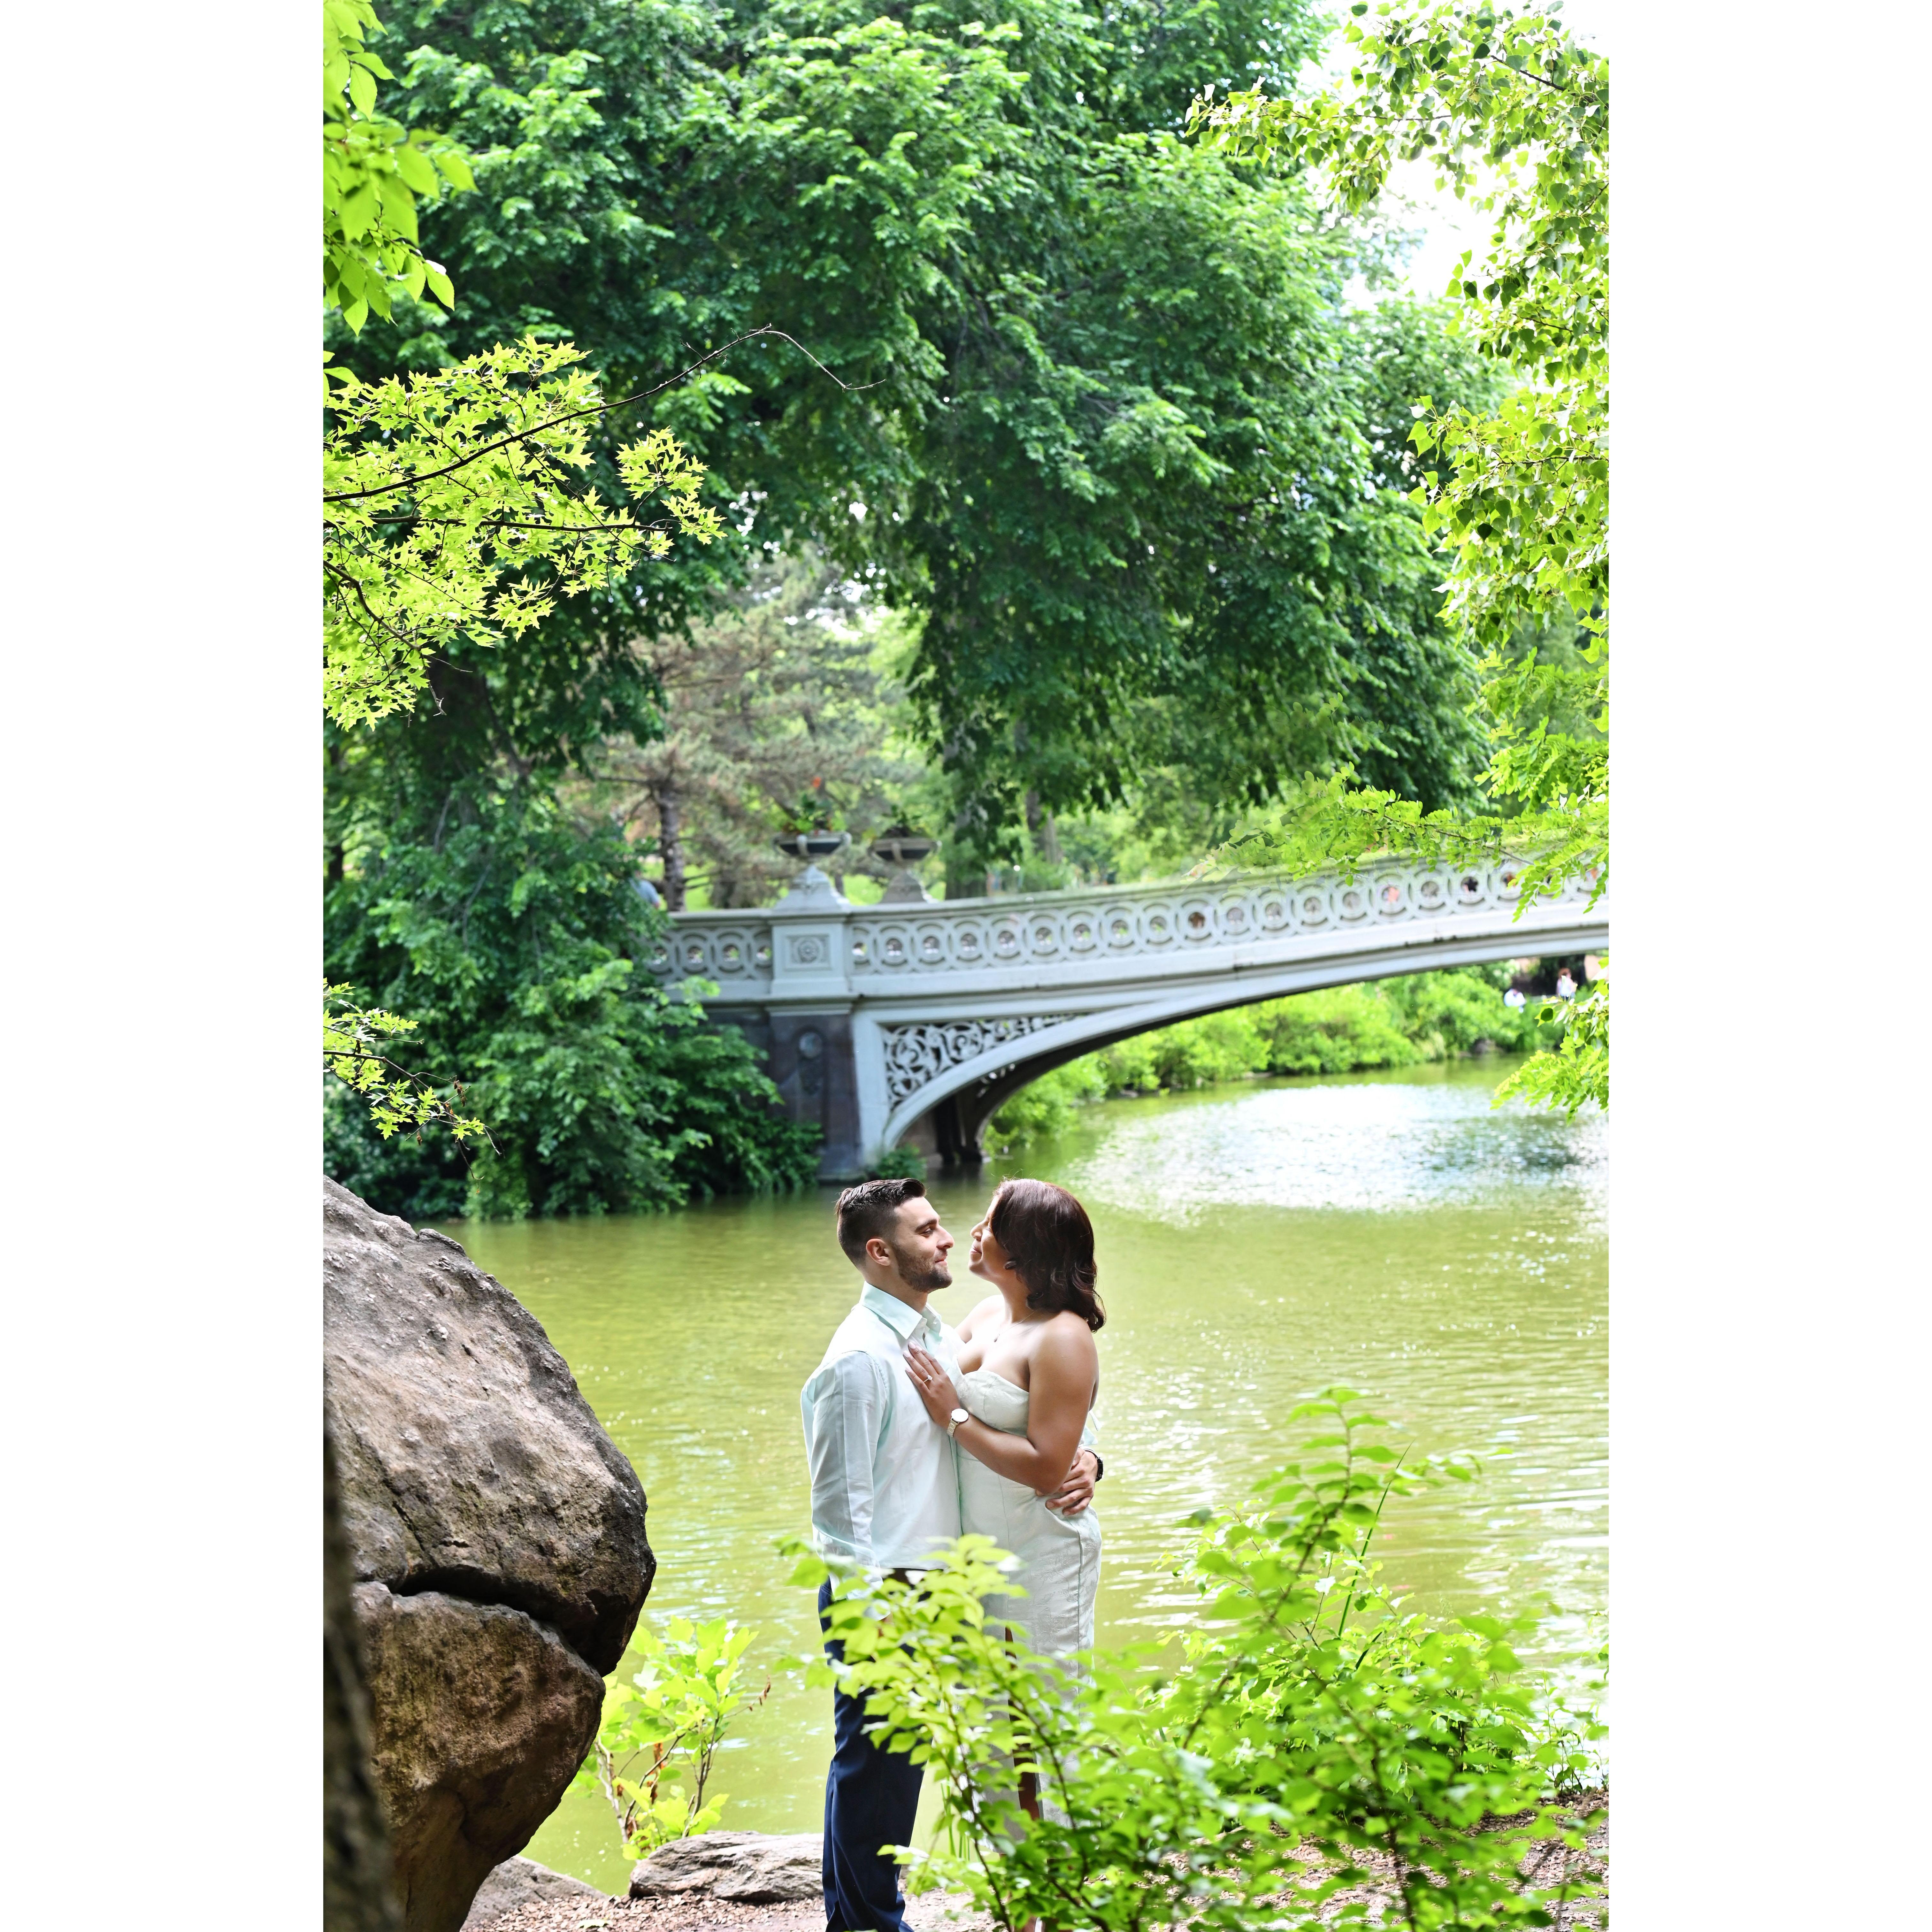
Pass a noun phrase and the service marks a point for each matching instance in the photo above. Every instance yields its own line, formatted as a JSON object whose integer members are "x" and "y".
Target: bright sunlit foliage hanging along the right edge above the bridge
{"x": 1516, "y": 115}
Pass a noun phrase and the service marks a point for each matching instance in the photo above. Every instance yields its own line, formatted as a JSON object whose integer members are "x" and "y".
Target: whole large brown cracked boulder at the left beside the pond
{"x": 497, "y": 1541}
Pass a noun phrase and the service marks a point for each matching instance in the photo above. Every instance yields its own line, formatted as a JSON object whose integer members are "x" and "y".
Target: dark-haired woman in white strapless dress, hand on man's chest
{"x": 1031, "y": 1375}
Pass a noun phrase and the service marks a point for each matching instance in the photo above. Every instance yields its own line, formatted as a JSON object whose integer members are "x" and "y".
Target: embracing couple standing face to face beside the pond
{"x": 919, "y": 1433}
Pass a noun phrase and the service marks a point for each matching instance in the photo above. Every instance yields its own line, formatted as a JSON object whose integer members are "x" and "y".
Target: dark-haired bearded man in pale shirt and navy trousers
{"x": 884, "y": 1498}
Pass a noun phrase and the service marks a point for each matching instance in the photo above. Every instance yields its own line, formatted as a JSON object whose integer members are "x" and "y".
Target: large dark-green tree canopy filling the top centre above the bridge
{"x": 1110, "y": 436}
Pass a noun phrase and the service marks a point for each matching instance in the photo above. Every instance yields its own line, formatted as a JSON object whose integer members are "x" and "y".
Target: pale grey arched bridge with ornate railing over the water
{"x": 911, "y": 1023}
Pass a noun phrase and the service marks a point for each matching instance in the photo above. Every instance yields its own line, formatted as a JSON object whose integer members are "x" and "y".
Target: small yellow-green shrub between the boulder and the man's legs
{"x": 666, "y": 1726}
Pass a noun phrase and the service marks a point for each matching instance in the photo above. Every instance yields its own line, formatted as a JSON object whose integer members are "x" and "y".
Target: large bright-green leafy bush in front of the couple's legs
{"x": 1301, "y": 1747}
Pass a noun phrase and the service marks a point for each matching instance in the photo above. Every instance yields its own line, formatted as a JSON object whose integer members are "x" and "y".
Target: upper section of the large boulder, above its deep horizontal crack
{"x": 470, "y": 1463}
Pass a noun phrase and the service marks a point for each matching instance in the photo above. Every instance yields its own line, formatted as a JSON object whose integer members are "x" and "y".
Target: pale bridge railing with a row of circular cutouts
{"x": 1081, "y": 932}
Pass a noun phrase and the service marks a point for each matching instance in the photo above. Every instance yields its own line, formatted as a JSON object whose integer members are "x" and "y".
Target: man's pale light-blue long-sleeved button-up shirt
{"x": 884, "y": 1475}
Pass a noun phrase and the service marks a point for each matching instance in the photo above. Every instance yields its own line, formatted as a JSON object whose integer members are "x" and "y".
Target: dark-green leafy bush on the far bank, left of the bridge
{"x": 513, "y": 940}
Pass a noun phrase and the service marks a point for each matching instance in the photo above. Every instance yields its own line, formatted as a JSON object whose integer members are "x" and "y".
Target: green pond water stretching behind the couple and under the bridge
{"x": 1257, "y": 1243}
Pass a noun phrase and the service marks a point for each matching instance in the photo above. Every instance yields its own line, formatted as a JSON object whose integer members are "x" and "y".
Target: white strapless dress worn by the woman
{"x": 1058, "y": 1558}
